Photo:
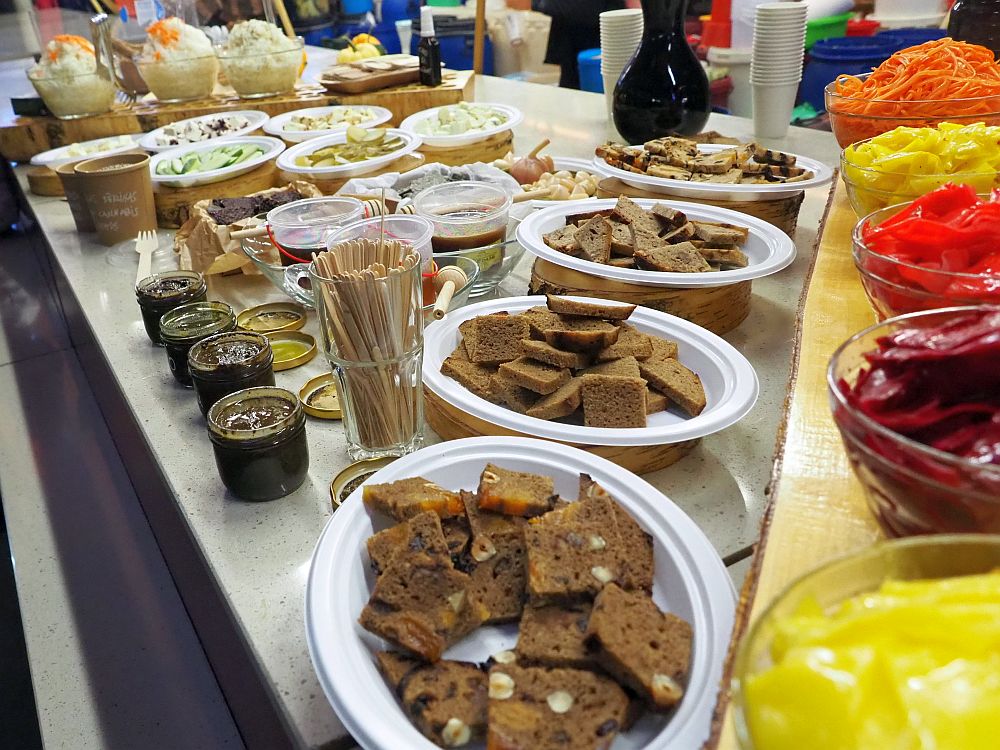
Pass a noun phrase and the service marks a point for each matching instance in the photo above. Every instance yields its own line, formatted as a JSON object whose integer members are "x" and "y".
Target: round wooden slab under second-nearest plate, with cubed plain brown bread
{"x": 452, "y": 424}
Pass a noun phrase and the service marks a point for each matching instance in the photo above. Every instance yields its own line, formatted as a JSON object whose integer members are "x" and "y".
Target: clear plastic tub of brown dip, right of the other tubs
{"x": 470, "y": 219}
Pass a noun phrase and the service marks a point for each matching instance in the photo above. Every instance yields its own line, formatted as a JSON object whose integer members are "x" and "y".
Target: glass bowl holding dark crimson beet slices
{"x": 910, "y": 487}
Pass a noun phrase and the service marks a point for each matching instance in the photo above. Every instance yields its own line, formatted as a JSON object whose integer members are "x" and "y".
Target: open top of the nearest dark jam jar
{"x": 254, "y": 414}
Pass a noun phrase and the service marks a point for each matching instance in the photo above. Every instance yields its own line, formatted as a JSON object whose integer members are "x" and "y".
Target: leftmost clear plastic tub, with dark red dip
{"x": 301, "y": 228}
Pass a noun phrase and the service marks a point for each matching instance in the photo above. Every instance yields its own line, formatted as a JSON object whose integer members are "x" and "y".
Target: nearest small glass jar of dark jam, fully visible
{"x": 259, "y": 439}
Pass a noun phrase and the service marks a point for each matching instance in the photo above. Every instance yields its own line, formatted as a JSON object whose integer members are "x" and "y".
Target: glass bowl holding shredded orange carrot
{"x": 853, "y": 119}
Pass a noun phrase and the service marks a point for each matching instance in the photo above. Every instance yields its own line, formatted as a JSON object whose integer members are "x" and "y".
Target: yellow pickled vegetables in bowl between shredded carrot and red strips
{"x": 905, "y": 163}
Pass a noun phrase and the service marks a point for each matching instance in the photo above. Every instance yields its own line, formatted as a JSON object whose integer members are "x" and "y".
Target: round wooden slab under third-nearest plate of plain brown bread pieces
{"x": 720, "y": 309}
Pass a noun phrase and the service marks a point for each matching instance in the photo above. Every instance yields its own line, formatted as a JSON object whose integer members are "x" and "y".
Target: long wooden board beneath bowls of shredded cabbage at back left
{"x": 24, "y": 137}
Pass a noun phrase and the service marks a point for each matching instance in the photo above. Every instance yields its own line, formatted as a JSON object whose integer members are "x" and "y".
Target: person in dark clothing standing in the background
{"x": 575, "y": 27}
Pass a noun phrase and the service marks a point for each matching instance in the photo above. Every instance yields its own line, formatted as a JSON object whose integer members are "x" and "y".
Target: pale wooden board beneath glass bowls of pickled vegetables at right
{"x": 818, "y": 509}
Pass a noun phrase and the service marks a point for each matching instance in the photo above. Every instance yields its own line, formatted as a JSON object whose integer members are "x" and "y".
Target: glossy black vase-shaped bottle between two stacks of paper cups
{"x": 664, "y": 89}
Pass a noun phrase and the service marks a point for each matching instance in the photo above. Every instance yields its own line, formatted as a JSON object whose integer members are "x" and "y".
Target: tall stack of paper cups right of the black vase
{"x": 779, "y": 34}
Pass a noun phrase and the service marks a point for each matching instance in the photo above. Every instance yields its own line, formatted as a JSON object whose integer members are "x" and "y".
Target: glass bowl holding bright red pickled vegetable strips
{"x": 895, "y": 287}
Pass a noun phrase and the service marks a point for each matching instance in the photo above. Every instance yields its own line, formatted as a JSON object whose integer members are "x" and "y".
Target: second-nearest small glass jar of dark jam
{"x": 229, "y": 362}
